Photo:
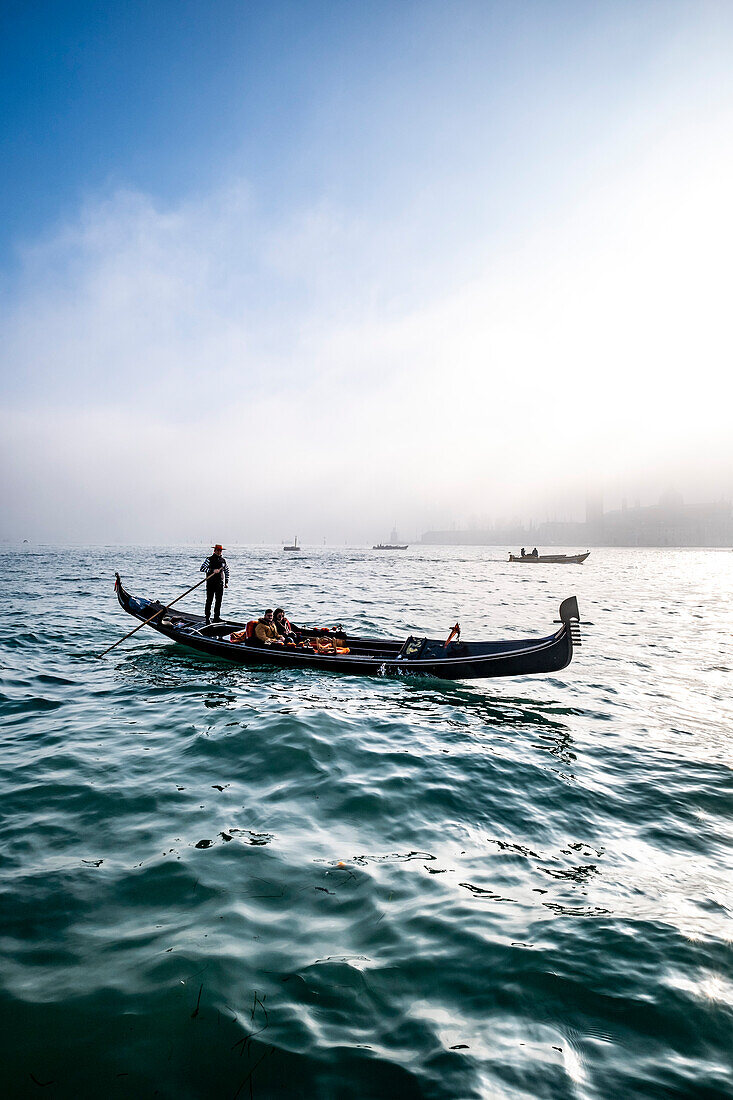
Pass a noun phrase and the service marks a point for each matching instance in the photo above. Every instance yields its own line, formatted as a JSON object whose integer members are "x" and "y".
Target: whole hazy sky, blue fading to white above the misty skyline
{"x": 327, "y": 268}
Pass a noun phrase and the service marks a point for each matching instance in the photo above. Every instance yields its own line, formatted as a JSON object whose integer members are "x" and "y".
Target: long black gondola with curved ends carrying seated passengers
{"x": 340, "y": 652}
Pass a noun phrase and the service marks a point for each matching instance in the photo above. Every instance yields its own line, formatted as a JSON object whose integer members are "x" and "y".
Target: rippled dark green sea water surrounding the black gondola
{"x": 221, "y": 882}
